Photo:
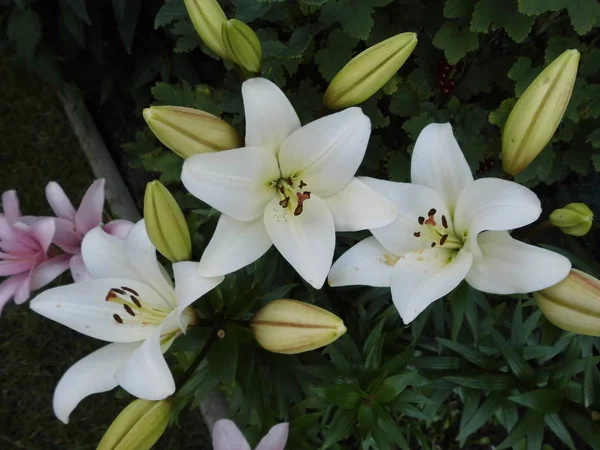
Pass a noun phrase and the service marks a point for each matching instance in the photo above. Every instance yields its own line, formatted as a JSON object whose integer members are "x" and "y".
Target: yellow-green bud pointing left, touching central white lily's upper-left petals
{"x": 189, "y": 131}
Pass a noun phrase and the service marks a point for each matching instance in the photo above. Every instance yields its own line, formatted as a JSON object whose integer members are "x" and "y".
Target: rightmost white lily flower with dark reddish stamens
{"x": 449, "y": 228}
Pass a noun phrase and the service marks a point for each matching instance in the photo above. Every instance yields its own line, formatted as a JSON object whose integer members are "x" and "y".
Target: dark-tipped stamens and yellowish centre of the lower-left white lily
{"x": 136, "y": 310}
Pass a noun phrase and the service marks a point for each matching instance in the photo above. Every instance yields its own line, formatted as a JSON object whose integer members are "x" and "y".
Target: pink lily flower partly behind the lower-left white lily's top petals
{"x": 72, "y": 225}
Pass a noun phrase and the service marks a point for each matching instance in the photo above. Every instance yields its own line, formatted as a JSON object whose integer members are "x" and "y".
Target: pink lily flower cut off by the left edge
{"x": 24, "y": 260}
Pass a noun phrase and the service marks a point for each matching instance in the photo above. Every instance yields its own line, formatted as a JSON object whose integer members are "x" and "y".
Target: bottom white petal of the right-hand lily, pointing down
{"x": 422, "y": 277}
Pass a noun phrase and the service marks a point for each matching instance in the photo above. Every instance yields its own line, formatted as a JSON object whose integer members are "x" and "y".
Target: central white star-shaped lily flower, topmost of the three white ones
{"x": 291, "y": 187}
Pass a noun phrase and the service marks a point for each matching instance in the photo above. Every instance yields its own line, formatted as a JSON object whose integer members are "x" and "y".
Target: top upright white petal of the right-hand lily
{"x": 438, "y": 162}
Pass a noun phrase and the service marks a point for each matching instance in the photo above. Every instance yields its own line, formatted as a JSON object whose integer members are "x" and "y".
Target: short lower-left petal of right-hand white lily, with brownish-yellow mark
{"x": 367, "y": 263}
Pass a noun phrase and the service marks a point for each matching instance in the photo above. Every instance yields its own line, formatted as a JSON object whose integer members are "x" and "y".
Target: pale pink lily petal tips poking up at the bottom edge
{"x": 227, "y": 436}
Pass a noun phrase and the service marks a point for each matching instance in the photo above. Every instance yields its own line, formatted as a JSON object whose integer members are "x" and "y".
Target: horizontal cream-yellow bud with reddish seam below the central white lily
{"x": 290, "y": 326}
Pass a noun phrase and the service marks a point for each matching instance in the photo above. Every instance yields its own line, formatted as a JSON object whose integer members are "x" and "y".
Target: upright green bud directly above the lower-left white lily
{"x": 165, "y": 223}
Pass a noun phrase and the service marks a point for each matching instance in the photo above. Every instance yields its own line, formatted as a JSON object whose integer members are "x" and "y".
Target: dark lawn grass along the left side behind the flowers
{"x": 38, "y": 146}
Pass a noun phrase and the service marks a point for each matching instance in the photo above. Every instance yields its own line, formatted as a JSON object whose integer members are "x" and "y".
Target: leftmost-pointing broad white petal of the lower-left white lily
{"x": 83, "y": 307}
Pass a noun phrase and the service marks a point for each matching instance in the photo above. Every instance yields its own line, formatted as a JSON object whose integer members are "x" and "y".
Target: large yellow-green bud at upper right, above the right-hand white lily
{"x": 536, "y": 115}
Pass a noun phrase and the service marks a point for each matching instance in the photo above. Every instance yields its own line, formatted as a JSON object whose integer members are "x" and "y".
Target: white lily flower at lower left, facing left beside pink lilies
{"x": 131, "y": 302}
